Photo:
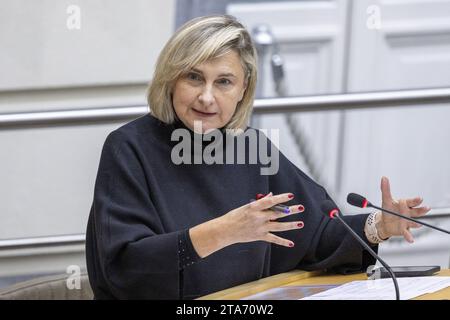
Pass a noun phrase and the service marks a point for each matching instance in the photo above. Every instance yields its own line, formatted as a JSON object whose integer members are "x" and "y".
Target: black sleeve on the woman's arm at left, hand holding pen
{"x": 138, "y": 259}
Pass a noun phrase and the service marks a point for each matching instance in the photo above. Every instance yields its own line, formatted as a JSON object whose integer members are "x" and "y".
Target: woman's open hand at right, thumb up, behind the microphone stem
{"x": 391, "y": 225}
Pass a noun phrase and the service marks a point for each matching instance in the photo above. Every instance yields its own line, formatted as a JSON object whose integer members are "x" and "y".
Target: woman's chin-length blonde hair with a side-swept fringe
{"x": 199, "y": 40}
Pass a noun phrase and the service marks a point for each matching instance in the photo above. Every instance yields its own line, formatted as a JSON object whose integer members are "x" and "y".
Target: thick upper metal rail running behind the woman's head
{"x": 350, "y": 101}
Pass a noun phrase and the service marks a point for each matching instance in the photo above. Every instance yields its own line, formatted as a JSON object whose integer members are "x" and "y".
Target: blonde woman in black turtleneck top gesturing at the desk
{"x": 164, "y": 227}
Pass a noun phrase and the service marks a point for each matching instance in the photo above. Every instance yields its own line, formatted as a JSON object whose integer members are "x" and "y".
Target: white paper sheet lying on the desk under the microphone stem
{"x": 383, "y": 289}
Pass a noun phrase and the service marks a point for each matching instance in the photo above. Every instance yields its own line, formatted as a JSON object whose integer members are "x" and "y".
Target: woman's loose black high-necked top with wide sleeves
{"x": 137, "y": 240}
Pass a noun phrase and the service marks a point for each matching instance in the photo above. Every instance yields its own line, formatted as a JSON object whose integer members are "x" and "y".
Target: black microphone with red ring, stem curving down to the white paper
{"x": 330, "y": 210}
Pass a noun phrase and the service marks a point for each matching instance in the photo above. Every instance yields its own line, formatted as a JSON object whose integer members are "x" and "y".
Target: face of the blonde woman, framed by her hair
{"x": 210, "y": 92}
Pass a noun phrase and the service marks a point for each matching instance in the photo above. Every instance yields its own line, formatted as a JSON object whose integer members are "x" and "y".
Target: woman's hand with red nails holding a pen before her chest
{"x": 255, "y": 221}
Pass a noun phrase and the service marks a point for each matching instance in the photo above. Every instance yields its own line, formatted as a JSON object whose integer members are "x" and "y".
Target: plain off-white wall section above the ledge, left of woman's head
{"x": 118, "y": 42}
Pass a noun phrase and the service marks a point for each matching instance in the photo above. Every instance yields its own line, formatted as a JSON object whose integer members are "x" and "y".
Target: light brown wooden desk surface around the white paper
{"x": 302, "y": 278}
